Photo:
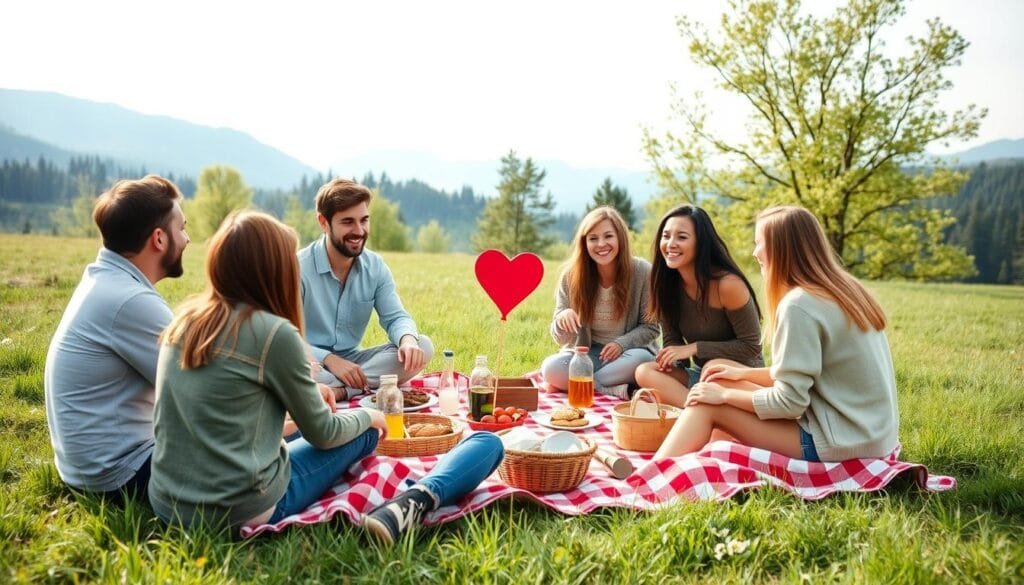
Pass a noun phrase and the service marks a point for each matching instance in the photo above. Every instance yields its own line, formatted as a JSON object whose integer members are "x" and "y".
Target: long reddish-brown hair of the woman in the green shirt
{"x": 251, "y": 261}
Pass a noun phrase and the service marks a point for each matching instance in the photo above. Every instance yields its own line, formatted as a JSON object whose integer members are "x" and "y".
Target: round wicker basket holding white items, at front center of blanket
{"x": 544, "y": 473}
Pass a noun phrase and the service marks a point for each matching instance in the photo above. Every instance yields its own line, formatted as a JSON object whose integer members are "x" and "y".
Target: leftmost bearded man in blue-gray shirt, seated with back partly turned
{"x": 102, "y": 363}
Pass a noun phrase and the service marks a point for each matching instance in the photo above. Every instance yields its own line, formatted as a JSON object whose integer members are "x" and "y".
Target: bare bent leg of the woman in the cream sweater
{"x": 696, "y": 425}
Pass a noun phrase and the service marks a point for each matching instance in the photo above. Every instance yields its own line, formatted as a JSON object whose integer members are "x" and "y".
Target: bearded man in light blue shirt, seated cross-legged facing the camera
{"x": 343, "y": 283}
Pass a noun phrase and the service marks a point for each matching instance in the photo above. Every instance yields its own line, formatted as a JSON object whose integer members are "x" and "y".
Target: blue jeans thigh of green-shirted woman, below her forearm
{"x": 315, "y": 471}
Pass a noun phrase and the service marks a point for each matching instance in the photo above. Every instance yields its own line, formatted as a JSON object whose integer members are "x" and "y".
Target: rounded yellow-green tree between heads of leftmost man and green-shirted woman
{"x": 220, "y": 192}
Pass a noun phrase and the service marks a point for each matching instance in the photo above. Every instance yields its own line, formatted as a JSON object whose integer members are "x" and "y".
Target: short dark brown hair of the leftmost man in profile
{"x": 131, "y": 211}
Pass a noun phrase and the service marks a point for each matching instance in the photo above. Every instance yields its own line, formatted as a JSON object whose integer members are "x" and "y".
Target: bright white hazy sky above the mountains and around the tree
{"x": 324, "y": 81}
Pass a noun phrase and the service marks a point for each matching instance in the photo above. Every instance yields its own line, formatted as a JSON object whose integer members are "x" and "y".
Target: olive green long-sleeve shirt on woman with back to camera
{"x": 219, "y": 447}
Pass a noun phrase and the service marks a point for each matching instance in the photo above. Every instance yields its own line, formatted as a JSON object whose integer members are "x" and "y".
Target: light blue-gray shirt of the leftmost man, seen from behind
{"x": 101, "y": 371}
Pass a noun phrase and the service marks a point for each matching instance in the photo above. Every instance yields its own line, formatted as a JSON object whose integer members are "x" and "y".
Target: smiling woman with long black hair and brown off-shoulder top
{"x": 704, "y": 303}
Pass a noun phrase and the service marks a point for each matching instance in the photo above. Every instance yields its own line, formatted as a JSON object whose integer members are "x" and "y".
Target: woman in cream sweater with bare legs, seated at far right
{"x": 831, "y": 393}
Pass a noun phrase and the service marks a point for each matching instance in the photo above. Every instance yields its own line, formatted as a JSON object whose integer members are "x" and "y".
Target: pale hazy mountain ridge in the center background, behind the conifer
{"x": 573, "y": 188}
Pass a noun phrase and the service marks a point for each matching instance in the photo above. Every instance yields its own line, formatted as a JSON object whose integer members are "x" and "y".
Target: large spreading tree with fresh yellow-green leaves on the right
{"x": 838, "y": 124}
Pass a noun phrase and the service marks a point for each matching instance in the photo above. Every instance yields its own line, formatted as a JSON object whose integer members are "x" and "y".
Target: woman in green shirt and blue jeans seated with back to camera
{"x": 232, "y": 365}
